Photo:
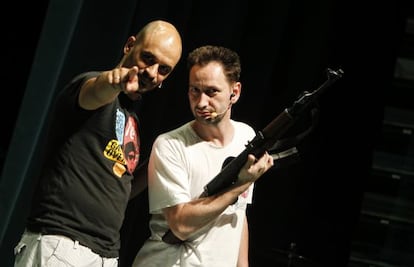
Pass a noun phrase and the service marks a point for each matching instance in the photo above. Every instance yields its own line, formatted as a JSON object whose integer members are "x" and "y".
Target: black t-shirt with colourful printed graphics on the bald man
{"x": 86, "y": 178}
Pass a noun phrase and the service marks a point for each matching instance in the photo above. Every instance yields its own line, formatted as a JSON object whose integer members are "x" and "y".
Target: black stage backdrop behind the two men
{"x": 285, "y": 48}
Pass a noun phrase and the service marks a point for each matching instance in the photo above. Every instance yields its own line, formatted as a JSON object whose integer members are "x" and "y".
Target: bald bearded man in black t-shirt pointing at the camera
{"x": 85, "y": 182}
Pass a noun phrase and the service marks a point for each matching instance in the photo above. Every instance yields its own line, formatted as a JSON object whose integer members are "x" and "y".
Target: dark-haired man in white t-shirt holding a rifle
{"x": 211, "y": 231}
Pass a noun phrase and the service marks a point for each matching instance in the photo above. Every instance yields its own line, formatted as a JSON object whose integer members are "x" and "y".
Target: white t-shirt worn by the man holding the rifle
{"x": 180, "y": 165}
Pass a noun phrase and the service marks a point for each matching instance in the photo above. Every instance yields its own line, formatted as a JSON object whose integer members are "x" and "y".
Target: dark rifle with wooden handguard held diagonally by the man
{"x": 262, "y": 142}
